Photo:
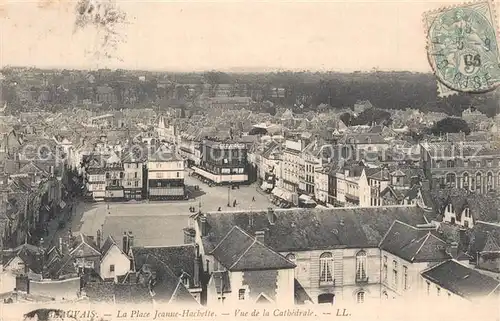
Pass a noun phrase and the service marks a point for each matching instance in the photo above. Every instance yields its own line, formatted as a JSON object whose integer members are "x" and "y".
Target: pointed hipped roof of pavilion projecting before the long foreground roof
{"x": 238, "y": 251}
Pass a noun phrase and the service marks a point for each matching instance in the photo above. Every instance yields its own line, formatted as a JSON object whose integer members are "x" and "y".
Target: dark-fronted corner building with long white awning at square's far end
{"x": 223, "y": 162}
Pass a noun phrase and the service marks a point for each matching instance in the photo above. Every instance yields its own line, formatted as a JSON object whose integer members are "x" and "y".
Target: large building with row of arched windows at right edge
{"x": 467, "y": 165}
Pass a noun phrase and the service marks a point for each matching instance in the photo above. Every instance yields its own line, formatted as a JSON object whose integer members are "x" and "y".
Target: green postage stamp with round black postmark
{"x": 462, "y": 47}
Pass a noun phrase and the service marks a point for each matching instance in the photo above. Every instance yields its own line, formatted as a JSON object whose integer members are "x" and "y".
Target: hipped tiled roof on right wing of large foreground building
{"x": 414, "y": 244}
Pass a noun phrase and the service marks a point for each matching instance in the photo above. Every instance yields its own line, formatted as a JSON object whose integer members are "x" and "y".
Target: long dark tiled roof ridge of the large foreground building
{"x": 307, "y": 229}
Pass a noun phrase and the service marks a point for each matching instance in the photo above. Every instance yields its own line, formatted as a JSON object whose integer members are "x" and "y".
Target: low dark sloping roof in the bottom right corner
{"x": 461, "y": 280}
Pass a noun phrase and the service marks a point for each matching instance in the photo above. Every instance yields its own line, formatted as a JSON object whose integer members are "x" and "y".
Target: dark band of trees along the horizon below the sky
{"x": 305, "y": 90}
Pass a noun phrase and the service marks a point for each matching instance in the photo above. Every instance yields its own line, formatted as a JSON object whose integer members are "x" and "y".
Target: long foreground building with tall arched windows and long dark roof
{"x": 342, "y": 268}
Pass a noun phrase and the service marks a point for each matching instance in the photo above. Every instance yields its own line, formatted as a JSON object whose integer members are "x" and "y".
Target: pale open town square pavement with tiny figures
{"x": 161, "y": 223}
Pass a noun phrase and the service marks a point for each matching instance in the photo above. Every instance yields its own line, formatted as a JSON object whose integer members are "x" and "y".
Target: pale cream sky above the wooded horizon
{"x": 223, "y": 35}
